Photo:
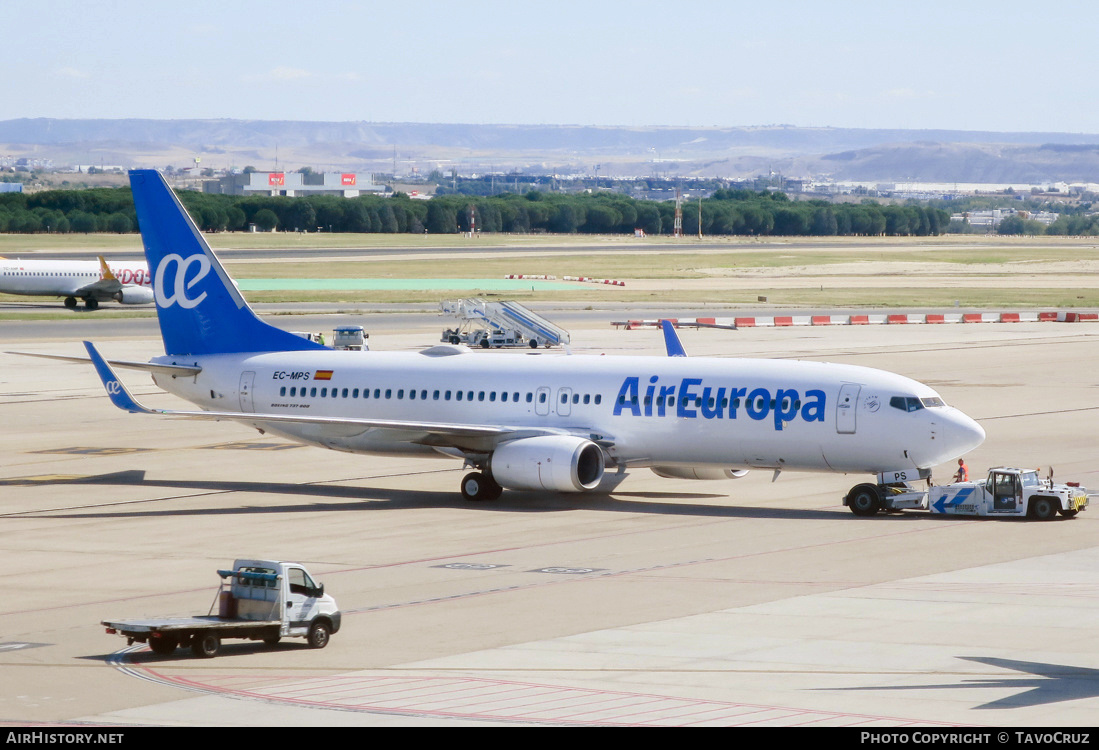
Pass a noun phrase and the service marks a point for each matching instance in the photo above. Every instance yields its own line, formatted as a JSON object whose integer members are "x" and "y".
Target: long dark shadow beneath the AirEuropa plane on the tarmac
{"x": 360, "y": 499}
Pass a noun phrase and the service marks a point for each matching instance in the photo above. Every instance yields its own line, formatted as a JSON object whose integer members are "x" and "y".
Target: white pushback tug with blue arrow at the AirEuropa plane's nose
{"x": 1005, "y": 493}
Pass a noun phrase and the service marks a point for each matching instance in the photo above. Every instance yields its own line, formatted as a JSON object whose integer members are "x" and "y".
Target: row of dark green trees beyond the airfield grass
{"x": 743, "y": 213}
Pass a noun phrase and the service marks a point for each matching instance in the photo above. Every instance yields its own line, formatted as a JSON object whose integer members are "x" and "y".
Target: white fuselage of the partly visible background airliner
{"x": 63, "y": 279}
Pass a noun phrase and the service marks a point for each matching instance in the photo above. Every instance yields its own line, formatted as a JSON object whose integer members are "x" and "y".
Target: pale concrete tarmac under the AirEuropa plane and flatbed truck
{"x": 670, "y": 603}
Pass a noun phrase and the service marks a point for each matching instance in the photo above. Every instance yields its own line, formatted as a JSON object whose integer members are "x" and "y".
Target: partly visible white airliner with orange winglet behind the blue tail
{"x": 92, "y": 281}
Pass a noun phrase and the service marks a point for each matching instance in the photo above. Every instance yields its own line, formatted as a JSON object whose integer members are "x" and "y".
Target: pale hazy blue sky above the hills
{"x": 961, "y": 65}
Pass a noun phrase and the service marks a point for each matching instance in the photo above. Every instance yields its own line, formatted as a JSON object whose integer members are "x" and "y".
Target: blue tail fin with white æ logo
{"x": 201, "y": 310}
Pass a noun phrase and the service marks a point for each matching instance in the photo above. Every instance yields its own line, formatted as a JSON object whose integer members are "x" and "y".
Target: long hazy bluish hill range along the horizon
{"x": 841, "y": 153}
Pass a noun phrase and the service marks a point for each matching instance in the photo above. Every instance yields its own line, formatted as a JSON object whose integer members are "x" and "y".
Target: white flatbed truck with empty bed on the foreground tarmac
{"x": 259, "y": 600}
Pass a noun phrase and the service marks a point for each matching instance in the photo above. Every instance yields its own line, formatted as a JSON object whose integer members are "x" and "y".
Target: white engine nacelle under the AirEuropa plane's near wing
{"x": 559, "y": 464}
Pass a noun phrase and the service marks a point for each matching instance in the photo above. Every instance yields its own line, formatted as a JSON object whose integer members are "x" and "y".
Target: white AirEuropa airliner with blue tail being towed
{"x": 534, "y": 422}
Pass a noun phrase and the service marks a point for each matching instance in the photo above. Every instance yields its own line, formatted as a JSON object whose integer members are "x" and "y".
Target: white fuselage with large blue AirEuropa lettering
{"x": 645, "y": 411}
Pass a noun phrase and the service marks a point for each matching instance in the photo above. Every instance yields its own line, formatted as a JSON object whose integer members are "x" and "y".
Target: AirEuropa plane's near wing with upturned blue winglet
{"x": 442, "y": 435}
